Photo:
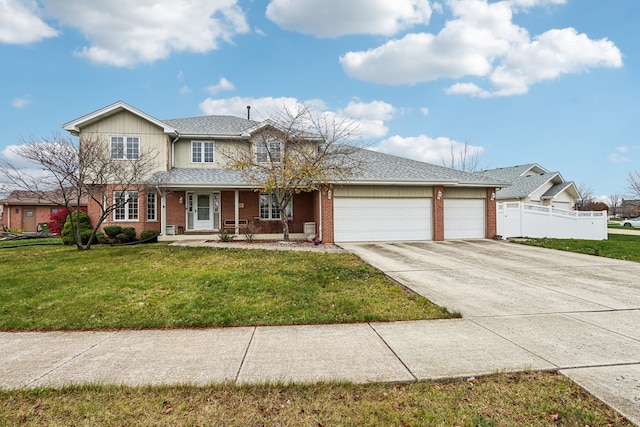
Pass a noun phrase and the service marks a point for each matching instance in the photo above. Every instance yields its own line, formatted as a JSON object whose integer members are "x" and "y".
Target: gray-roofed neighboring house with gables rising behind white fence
{"x": 534, "y": 184}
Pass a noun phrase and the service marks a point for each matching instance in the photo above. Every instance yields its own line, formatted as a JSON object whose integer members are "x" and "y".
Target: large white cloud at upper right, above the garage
{"x": 482, "y": 41}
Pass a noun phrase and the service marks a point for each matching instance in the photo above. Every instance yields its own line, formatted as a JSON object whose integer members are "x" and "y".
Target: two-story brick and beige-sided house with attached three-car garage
{"x": 394, "y": 199}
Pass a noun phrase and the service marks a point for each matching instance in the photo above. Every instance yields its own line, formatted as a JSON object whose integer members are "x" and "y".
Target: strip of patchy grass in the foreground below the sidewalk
{"x": 527, "y": 399}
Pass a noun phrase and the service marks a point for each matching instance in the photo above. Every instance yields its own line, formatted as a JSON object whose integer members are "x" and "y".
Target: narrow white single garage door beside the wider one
{"x": 464, "y": 219}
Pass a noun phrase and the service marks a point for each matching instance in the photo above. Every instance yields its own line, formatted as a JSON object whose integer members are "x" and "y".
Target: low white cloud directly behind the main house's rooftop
{"x": 369, "y": 117}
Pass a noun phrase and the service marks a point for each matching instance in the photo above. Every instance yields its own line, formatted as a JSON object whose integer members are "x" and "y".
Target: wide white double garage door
{"x": 376, "y": 219}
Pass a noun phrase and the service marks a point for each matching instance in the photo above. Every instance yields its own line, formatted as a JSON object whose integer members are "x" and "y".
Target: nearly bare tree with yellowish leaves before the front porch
{"x": 298, "y": 151}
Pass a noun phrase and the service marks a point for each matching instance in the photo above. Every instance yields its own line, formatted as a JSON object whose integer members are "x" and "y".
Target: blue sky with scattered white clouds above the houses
{"x": 554, "y": 82}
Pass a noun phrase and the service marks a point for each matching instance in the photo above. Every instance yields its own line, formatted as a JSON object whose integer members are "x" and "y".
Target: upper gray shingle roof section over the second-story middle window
{"x": 211, "y": 125}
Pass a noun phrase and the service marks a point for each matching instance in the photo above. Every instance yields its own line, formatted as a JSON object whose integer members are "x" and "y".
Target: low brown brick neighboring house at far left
{"x": 25, "y": 210}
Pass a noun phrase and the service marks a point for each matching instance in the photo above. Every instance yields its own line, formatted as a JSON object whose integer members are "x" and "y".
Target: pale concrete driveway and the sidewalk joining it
{"x": 528, "y": 311}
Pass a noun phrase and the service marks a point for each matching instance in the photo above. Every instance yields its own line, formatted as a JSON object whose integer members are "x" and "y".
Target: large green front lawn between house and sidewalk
{"x": 161, "y": 286}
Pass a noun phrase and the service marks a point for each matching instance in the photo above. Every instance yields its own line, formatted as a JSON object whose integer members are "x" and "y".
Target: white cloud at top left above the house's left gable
{"x": 123, "y": 33}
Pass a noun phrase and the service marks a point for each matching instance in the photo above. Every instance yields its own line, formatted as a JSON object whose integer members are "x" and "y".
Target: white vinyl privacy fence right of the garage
{"x": 517, "y": 219}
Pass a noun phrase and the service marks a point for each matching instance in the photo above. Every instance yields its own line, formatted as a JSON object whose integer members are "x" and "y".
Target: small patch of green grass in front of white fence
{"x": 618, "y": 246}
